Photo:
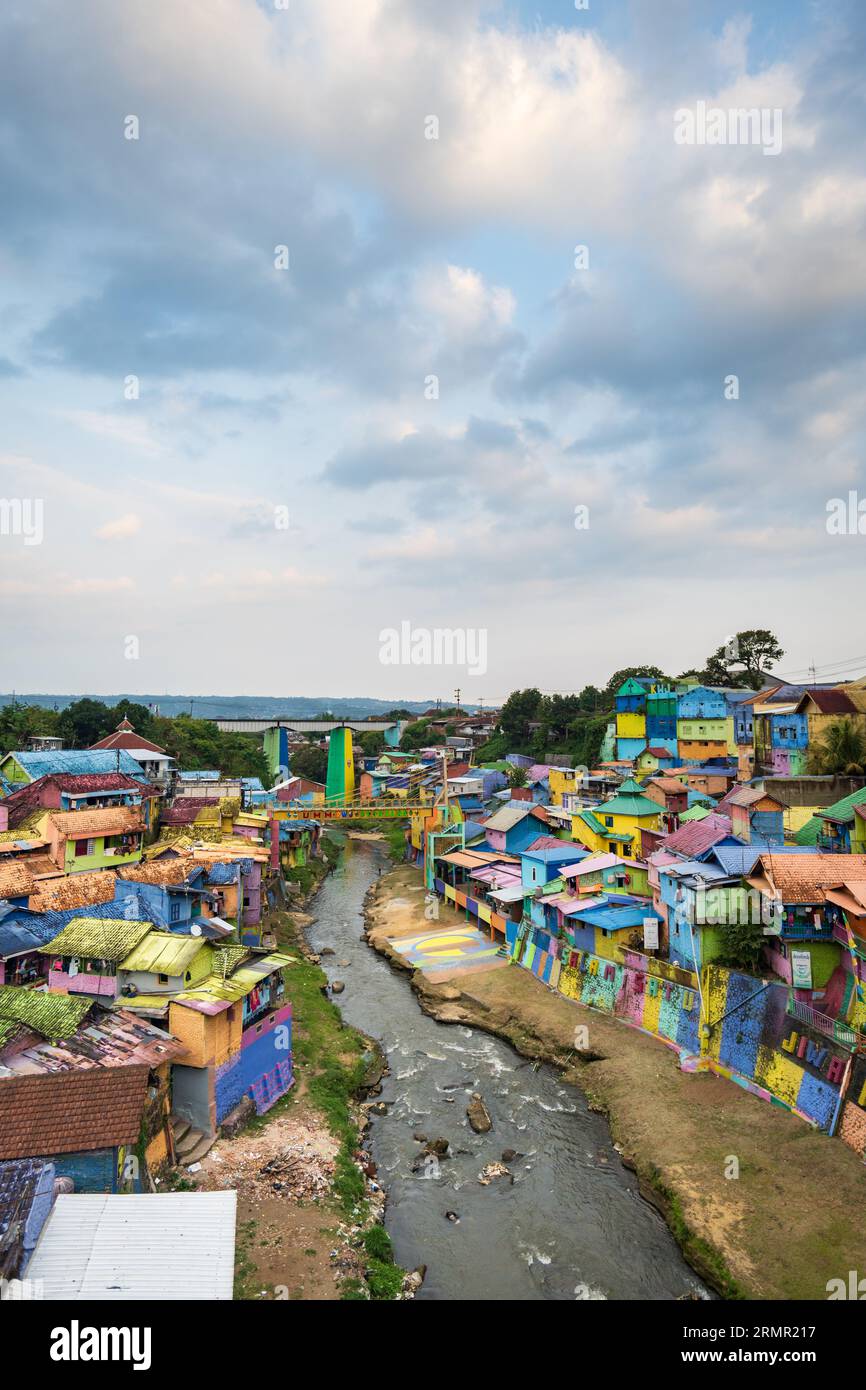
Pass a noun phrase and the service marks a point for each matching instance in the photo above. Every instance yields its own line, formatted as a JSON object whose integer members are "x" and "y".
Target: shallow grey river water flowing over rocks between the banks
{"x": 573, "y": 1224}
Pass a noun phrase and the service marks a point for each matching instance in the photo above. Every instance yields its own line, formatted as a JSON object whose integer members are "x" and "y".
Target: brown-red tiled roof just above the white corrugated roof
{"x": 72, "y": 1113}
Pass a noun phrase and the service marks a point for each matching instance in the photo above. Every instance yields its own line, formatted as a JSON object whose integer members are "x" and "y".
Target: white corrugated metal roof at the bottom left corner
{"x": 155, "y": 1246}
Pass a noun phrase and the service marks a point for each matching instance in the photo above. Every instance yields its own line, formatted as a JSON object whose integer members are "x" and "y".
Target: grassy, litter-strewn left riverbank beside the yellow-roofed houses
{"x": 309, "y": 1206}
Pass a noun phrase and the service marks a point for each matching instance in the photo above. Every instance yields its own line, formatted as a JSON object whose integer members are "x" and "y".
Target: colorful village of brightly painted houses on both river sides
{"x": 701, "y": 886}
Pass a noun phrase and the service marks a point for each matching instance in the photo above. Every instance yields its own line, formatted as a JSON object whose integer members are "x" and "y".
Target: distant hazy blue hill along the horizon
{"x": 244, "y": 707}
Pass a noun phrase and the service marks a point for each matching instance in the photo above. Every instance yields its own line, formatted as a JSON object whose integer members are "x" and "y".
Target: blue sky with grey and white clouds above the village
{"x": 330, "y": 320}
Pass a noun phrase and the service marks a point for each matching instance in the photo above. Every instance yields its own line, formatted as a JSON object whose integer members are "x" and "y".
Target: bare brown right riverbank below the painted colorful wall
{"x": 785, "y": 1227}
